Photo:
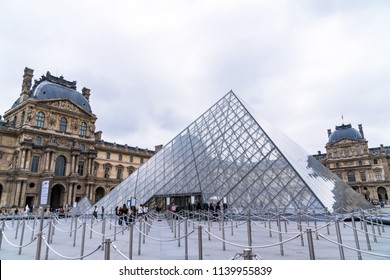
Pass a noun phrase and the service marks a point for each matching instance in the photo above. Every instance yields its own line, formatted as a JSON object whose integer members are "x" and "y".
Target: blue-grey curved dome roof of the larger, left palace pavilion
{"x": 48, "y": 90}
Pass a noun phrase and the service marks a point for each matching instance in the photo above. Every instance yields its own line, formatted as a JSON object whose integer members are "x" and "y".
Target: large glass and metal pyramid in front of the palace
{"x": 226, "y": 155}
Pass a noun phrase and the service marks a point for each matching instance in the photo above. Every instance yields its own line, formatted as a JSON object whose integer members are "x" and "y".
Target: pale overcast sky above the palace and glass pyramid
{"x": 155, "y": 66}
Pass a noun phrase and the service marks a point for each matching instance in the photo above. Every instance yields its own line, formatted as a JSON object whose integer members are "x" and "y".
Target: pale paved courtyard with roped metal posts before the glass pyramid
{"x": 194, "y": 237}
